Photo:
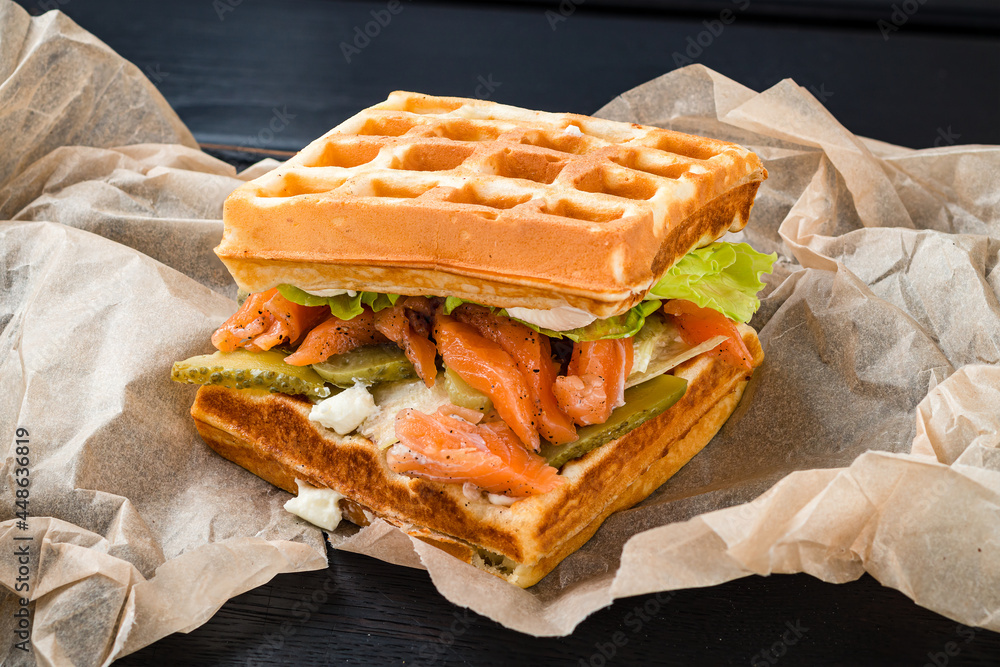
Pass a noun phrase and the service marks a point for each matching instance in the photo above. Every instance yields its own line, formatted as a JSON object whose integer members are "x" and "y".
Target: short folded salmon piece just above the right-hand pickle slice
{"x": 595, "y": 381}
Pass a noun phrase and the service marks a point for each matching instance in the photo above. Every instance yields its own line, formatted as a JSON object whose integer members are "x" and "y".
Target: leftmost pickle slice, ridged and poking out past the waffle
{"x": 251, "y": 370}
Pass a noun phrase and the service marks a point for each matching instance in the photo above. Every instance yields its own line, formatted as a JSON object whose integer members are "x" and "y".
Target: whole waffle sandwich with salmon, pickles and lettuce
{"x": 489, "y": 326}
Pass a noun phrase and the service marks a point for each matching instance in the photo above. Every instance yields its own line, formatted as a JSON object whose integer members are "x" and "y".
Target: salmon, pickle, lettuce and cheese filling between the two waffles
{"x": 494, "y": 399}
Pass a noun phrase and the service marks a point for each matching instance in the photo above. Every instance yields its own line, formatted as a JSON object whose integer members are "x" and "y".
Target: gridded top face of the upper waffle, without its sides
{"x": 490, "y": 159}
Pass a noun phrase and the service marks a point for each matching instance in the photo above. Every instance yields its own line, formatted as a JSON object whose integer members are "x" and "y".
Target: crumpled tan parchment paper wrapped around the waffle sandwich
{"x": 868, "y": 440}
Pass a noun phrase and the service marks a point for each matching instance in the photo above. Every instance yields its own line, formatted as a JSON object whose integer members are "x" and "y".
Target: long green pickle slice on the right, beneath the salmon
{"x": 642, "y": 402}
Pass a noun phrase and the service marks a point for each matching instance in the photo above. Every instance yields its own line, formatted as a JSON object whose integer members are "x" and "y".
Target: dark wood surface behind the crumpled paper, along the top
{"x": 272, "y": 75}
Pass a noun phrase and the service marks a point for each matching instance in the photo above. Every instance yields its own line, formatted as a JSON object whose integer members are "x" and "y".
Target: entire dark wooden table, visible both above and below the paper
{"x": 252, "y": 78}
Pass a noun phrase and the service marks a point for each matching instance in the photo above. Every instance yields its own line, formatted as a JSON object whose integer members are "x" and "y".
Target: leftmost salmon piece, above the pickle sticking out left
{"x": 264, "y": 320}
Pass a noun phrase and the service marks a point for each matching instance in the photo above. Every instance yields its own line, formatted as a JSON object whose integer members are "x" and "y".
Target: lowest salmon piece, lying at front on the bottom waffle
{"x": 447, "y": 447}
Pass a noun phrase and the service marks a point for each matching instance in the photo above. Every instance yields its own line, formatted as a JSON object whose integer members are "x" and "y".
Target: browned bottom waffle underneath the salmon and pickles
{"x": 271, "y": 436}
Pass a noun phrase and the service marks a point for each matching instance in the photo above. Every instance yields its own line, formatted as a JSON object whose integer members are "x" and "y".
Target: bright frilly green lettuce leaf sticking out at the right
{"x": 722, "y": 276}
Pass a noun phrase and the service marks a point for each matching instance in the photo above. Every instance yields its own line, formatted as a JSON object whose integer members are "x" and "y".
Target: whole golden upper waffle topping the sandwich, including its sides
{"x": 492, "y": 203}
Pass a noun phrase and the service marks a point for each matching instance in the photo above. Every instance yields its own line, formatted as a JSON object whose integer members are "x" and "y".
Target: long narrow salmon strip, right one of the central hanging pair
{"x": 532, "y": 353}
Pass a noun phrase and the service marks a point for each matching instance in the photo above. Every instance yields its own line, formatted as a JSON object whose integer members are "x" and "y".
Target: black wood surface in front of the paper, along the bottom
{"x": 361, "y": 611}
